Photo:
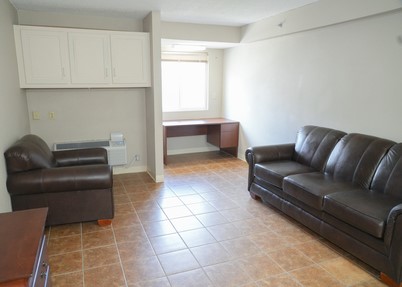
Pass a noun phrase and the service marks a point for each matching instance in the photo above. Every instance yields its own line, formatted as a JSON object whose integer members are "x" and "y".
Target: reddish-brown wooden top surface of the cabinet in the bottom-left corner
{"x": 21, "y": 233}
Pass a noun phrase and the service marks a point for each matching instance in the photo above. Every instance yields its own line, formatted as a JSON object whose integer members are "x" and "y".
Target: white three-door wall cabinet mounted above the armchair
{"x": 73, "y": 58}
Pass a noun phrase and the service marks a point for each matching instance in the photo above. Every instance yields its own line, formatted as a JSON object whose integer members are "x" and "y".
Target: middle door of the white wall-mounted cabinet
{"x": 90, "y": 58}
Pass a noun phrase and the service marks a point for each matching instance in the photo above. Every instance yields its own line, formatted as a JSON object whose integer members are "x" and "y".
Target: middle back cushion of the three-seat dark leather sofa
{"x": 356, "y": 157}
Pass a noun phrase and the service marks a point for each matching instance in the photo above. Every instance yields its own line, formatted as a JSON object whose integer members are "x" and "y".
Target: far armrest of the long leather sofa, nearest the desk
{"x": 259, "y": 154}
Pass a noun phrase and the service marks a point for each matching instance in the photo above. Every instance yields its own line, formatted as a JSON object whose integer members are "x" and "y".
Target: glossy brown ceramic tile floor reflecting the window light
{"x": 199, "y": 228}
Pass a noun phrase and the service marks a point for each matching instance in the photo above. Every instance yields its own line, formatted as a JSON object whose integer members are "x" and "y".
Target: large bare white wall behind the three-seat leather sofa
{"x": 346, "y": 76}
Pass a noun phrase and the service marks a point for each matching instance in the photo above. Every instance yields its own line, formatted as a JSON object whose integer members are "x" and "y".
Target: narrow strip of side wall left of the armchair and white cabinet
{"x": 13, "y": 105}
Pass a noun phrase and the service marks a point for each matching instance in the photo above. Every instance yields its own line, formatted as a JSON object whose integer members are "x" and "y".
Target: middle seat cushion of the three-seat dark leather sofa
{"x": 311, "y": 188}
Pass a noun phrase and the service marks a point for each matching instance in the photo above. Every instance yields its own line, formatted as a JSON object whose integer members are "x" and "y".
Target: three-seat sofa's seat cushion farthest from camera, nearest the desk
{"x": 274, "y": 172}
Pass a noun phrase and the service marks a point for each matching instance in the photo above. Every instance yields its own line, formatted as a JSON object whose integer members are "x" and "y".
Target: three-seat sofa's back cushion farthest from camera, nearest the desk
{"x": 314, "y": 145}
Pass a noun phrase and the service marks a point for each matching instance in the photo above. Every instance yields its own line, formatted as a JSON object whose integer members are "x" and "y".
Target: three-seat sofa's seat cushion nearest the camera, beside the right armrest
{"x": 365, "y": 210}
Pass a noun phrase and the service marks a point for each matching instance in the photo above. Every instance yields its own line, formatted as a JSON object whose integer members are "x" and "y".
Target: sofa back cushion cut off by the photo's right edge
{"x": 388, "y": 177}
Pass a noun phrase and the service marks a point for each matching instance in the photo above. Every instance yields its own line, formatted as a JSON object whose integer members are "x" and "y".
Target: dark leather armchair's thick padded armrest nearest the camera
{"x": 59, "y": 179}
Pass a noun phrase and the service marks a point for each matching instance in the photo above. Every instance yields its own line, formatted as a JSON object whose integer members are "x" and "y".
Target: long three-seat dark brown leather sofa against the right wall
{"x": 345, "y": 187}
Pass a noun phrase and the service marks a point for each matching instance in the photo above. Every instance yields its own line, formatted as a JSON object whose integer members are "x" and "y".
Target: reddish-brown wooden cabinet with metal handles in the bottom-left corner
{"x": 24, "y": 261}
